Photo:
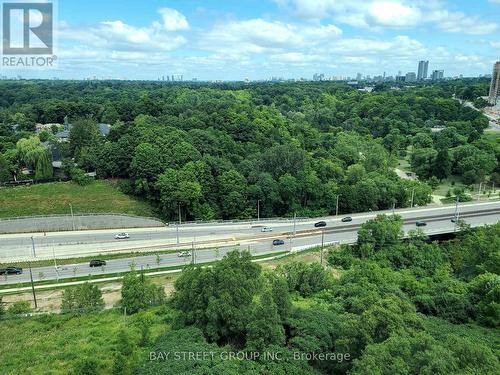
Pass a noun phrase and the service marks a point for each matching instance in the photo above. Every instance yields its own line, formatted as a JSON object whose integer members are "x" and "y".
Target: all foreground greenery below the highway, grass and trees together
{"x": 386, "y": 305}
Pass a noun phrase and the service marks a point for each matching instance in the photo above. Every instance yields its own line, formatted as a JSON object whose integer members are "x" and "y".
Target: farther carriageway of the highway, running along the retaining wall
{"x": 73, "y": 244}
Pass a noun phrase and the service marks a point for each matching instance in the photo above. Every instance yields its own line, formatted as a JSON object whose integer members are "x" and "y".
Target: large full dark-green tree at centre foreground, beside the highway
{"x": 218, "y": 299}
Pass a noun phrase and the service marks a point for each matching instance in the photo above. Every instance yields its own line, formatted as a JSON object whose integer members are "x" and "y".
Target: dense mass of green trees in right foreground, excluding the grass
{"x": 398, "y": 307}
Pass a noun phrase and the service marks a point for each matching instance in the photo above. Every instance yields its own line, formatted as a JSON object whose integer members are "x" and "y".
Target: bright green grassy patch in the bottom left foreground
{"x": 57, "y": 344}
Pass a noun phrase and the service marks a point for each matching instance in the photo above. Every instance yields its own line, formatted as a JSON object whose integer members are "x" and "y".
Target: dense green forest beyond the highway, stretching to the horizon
{"x": 218, "y": 151}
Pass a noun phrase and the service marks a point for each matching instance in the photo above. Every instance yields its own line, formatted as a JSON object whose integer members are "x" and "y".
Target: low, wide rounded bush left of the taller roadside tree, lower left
{"x": 86, "y": 297}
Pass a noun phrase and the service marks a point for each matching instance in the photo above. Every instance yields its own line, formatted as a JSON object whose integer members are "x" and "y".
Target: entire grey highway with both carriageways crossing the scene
{"x": 231, "y": 236}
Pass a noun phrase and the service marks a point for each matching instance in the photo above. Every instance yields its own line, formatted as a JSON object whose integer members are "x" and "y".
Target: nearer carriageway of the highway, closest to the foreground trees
{"x": 346, "y": 233}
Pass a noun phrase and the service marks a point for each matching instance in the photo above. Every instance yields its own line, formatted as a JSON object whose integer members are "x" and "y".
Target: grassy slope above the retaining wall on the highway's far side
{"x": 55, "y": 198}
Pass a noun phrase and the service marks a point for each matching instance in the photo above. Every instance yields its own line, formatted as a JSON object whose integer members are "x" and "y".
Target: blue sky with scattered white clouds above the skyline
{"x": 258, "y": 39}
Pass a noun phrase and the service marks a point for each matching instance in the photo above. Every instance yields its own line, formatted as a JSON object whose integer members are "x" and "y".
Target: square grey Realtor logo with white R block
{"x": 28, "y": 28}
